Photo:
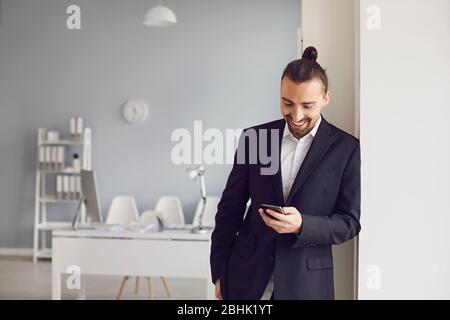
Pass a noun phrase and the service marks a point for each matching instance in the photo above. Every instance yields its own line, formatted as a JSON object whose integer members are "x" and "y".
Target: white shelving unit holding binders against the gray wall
{"x": 43, "y": 198}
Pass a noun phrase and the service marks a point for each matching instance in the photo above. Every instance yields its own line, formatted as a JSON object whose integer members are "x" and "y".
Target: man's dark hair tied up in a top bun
{"x": 306, "y": 69}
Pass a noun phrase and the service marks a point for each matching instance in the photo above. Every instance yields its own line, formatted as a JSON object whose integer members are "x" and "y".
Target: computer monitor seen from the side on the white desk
{"x": 89, "y": 198}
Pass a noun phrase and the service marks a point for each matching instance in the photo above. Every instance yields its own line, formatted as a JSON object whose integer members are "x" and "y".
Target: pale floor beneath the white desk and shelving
{"x": 20, "y": 278}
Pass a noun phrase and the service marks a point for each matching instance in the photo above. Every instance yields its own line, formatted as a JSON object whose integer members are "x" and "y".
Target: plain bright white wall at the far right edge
{"x": 405, "y": 136}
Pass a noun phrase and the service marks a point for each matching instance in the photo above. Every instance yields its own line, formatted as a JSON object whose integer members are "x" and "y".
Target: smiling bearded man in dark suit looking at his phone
{"x": 265, "y": 254}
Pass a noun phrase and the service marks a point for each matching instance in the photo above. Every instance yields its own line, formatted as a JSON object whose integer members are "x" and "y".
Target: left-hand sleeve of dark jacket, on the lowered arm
{"x": 230, "y": 211}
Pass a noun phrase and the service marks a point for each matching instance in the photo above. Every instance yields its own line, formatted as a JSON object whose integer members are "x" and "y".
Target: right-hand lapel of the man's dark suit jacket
{"x": 321, "y": 143}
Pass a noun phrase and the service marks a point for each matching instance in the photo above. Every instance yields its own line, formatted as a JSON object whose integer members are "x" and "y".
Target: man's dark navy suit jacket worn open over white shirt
{"x": 326, "y": 191}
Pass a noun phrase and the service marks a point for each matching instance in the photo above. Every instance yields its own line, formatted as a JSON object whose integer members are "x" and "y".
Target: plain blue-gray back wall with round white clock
{"x": 220, "y": 64}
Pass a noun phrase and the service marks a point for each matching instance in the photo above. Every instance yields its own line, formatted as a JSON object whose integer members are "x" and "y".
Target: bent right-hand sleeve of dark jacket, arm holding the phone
{"x": 343, "y": 223}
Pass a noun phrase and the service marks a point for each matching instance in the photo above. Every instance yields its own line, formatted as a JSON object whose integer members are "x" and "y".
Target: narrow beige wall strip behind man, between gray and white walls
{"x": 329, "y": 26}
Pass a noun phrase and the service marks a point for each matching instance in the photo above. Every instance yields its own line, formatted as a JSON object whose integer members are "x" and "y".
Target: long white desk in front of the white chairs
{"x": 176, "y": 253}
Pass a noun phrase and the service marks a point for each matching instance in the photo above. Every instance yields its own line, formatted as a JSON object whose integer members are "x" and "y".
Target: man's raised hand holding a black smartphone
{"x": 289, "y": 222}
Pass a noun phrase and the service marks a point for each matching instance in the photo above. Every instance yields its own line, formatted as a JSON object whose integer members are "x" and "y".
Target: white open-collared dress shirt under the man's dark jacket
{"x": 293, "y": 152}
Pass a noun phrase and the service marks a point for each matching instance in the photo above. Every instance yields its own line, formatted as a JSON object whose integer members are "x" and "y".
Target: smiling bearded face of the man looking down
{"x": 301, "y": 104}
